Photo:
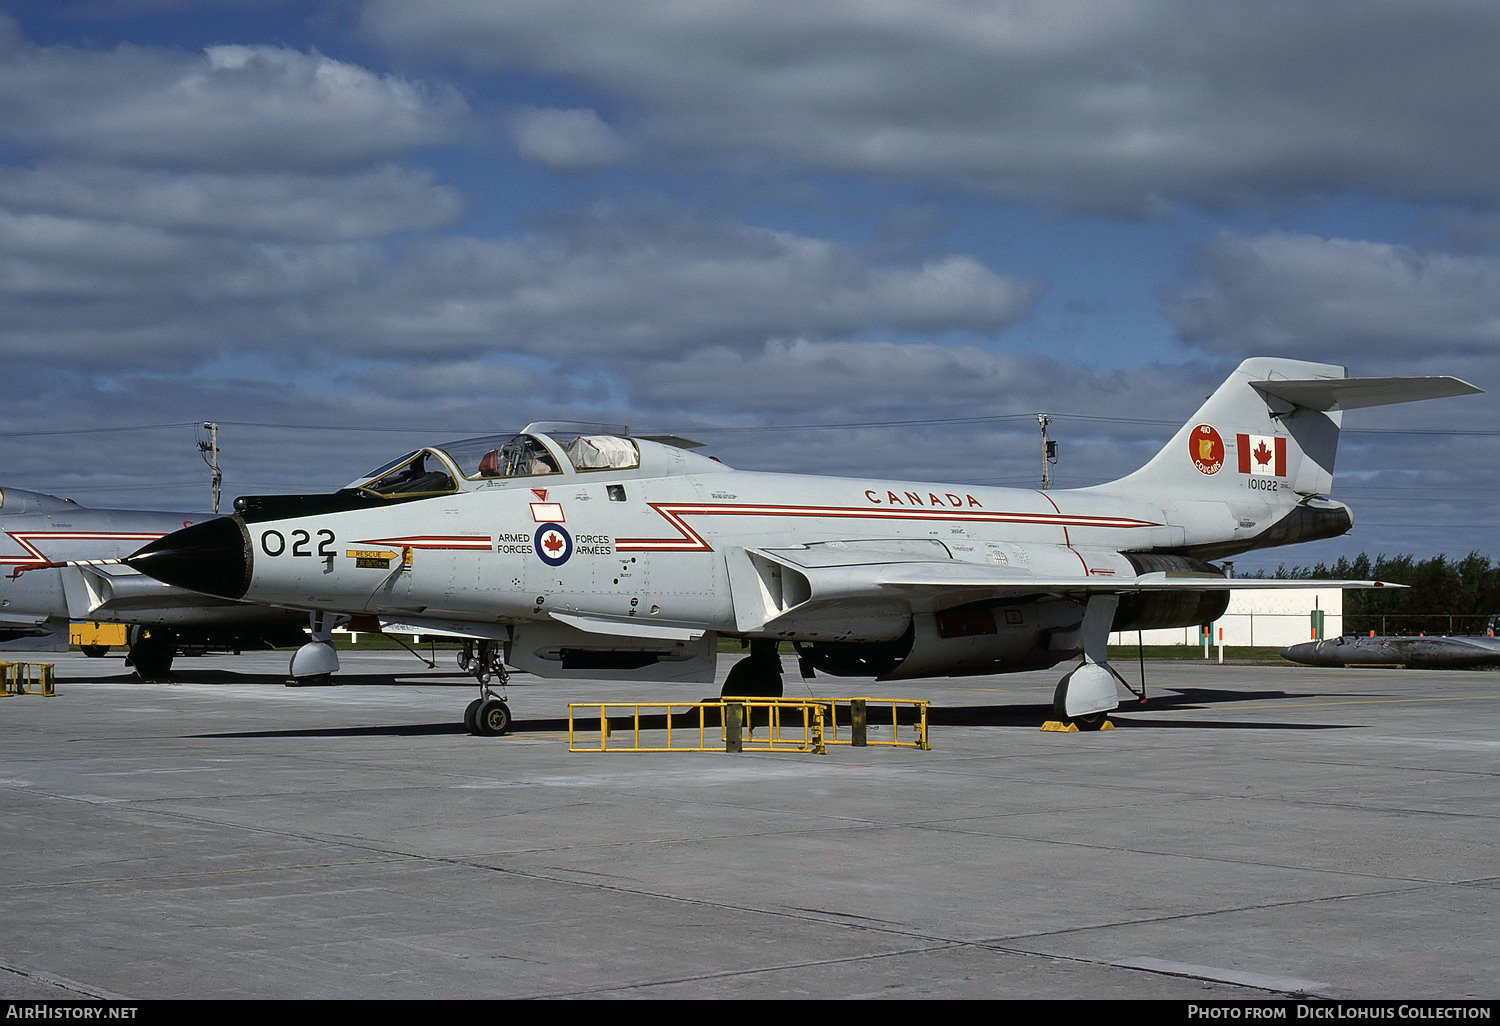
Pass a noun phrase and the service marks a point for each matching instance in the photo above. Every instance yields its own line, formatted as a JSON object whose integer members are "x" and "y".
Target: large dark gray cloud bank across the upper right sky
{"x": 1099, "y": 104}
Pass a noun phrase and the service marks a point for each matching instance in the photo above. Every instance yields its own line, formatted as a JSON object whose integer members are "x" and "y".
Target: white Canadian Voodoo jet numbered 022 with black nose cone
{"x": 572, "y": 551}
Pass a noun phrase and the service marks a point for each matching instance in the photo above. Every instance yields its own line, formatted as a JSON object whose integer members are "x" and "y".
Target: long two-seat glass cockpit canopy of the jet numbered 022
{"x": 470, "y": 463}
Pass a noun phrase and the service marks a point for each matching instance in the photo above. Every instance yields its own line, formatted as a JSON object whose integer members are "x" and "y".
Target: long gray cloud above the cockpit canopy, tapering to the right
{"x": 625, "y": 283}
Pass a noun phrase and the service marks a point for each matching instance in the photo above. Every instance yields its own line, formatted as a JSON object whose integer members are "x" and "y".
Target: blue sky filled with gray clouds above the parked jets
{"x": 827, "y": 236}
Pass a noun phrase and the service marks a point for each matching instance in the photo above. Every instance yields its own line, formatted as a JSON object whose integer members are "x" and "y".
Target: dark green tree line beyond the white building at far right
{"x": 1442, "y": 596}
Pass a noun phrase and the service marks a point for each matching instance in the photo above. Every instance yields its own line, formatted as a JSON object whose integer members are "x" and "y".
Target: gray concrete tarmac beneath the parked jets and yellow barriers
{"x": 1250, "y": 833}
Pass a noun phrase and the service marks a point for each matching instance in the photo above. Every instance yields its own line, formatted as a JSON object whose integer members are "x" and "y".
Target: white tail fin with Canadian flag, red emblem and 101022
{"x": 1274, "y": 424}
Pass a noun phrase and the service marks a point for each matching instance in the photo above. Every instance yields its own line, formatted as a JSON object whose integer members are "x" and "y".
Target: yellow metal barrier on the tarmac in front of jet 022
{"x": 733, "y": 725}
